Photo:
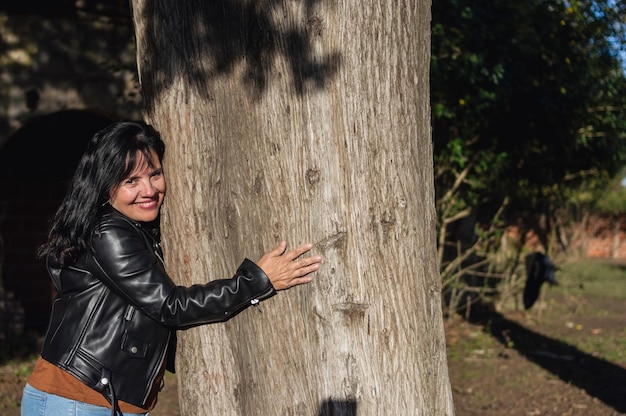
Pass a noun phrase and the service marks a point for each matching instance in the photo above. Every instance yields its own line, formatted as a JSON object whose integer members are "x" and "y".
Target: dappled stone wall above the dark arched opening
{"x": 70, "y": 60}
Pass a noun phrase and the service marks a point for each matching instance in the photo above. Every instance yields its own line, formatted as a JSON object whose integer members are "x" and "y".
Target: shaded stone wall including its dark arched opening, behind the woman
{"x": 66, "y": 70}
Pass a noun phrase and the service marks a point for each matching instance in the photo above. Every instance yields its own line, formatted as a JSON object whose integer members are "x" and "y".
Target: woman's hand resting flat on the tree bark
{"x": 286, "y": 269}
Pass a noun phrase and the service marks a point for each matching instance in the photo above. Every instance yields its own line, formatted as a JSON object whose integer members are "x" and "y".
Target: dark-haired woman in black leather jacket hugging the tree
{"x": 112, "y": 329}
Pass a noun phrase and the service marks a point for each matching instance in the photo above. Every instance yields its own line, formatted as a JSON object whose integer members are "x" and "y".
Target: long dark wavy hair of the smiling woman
{"x": 110, "y": 156}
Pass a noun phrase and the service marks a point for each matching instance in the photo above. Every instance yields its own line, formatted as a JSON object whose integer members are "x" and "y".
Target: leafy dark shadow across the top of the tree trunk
{"x": 200, "y": 40}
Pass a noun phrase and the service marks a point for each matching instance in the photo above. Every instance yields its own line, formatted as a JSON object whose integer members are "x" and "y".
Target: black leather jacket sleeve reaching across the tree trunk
{"x": 132, "y": 269}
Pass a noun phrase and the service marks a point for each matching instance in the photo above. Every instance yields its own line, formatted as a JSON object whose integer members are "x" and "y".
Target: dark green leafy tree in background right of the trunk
{"x": 528, "y": 108}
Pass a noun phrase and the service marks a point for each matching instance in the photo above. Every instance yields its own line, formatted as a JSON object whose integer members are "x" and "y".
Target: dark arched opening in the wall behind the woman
{"x": 36, "y": 164}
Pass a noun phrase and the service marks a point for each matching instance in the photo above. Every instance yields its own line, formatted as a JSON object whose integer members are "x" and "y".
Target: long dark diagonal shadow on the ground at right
{"x": 598, "y": 378}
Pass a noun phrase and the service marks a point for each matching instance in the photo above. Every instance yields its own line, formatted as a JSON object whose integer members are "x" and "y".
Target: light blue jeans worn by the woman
{"x": 38, "y": 403}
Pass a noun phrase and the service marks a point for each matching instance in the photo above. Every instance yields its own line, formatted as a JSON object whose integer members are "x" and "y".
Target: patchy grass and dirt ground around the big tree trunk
{"x": 566, "y": 356}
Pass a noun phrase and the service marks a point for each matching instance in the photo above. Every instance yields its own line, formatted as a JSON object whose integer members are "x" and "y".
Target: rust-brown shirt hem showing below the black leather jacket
{"x": 51, "y": 379}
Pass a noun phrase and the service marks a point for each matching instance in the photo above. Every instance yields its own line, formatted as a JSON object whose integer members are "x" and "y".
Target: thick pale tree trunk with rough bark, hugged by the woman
{"x": 304, "y": 121}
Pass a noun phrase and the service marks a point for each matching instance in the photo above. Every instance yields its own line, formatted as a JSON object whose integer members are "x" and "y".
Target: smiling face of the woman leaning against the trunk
{"x": 140, "y": 196}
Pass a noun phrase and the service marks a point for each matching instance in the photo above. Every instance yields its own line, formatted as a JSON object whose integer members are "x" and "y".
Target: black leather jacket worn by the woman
{"x": 114, "y": 318}
